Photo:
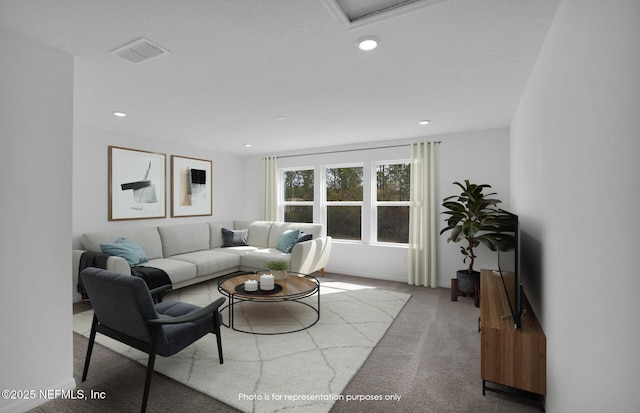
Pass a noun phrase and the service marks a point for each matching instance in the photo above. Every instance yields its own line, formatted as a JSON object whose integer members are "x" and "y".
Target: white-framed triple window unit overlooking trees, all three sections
{"x": 358, "y": 196}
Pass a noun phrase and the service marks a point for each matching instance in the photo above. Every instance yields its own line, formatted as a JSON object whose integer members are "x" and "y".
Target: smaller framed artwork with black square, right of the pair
{"x": 190, "y": 187}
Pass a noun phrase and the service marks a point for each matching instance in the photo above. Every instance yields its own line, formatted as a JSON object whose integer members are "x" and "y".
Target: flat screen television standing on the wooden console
{"x": 508, "y": 246}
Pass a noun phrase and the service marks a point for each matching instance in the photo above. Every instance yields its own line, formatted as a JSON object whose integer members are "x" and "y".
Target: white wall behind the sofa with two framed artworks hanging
{"x": 90, "y": 182}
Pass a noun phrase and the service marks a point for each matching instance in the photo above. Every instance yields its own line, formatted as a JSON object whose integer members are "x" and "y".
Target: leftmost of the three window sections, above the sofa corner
{"x": 298, "y": 195}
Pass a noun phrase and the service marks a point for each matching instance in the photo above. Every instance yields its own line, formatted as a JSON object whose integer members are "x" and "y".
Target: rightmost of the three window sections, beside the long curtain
{"x": 392, "y": 202}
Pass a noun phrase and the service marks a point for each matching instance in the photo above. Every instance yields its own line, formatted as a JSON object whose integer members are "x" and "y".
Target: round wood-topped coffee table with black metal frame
{"x": 294, "y": 288}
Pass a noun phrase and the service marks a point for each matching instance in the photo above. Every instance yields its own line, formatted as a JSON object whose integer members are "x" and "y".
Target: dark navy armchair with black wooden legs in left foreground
{"x": 124, "y": 310}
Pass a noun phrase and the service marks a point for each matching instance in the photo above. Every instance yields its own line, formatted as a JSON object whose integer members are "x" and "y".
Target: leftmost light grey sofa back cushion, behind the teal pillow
{"x": 147, "y": 238}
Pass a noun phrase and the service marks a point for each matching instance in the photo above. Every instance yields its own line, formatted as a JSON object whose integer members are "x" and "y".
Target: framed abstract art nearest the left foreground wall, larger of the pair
{"x": 137, "y": 184}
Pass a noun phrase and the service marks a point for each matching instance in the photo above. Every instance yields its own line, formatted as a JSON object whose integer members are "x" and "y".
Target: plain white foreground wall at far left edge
{"x": 36, "y": 115}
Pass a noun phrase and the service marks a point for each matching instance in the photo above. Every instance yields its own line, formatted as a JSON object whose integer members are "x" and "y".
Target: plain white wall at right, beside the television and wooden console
{"x": 575, "y": 183}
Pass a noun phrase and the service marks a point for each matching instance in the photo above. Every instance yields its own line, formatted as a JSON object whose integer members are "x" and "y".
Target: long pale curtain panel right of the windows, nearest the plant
{"x": 422, "y": 216}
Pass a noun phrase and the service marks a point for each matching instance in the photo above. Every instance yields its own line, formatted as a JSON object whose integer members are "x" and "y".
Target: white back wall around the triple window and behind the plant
{"x": 481, "y": 156}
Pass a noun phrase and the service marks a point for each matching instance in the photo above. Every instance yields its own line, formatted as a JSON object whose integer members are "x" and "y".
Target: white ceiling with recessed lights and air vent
{"x": 234, "y": 67}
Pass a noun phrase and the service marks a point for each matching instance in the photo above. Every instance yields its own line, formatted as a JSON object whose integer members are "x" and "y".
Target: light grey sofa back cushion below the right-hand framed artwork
{"x": 180, "y": 239}
